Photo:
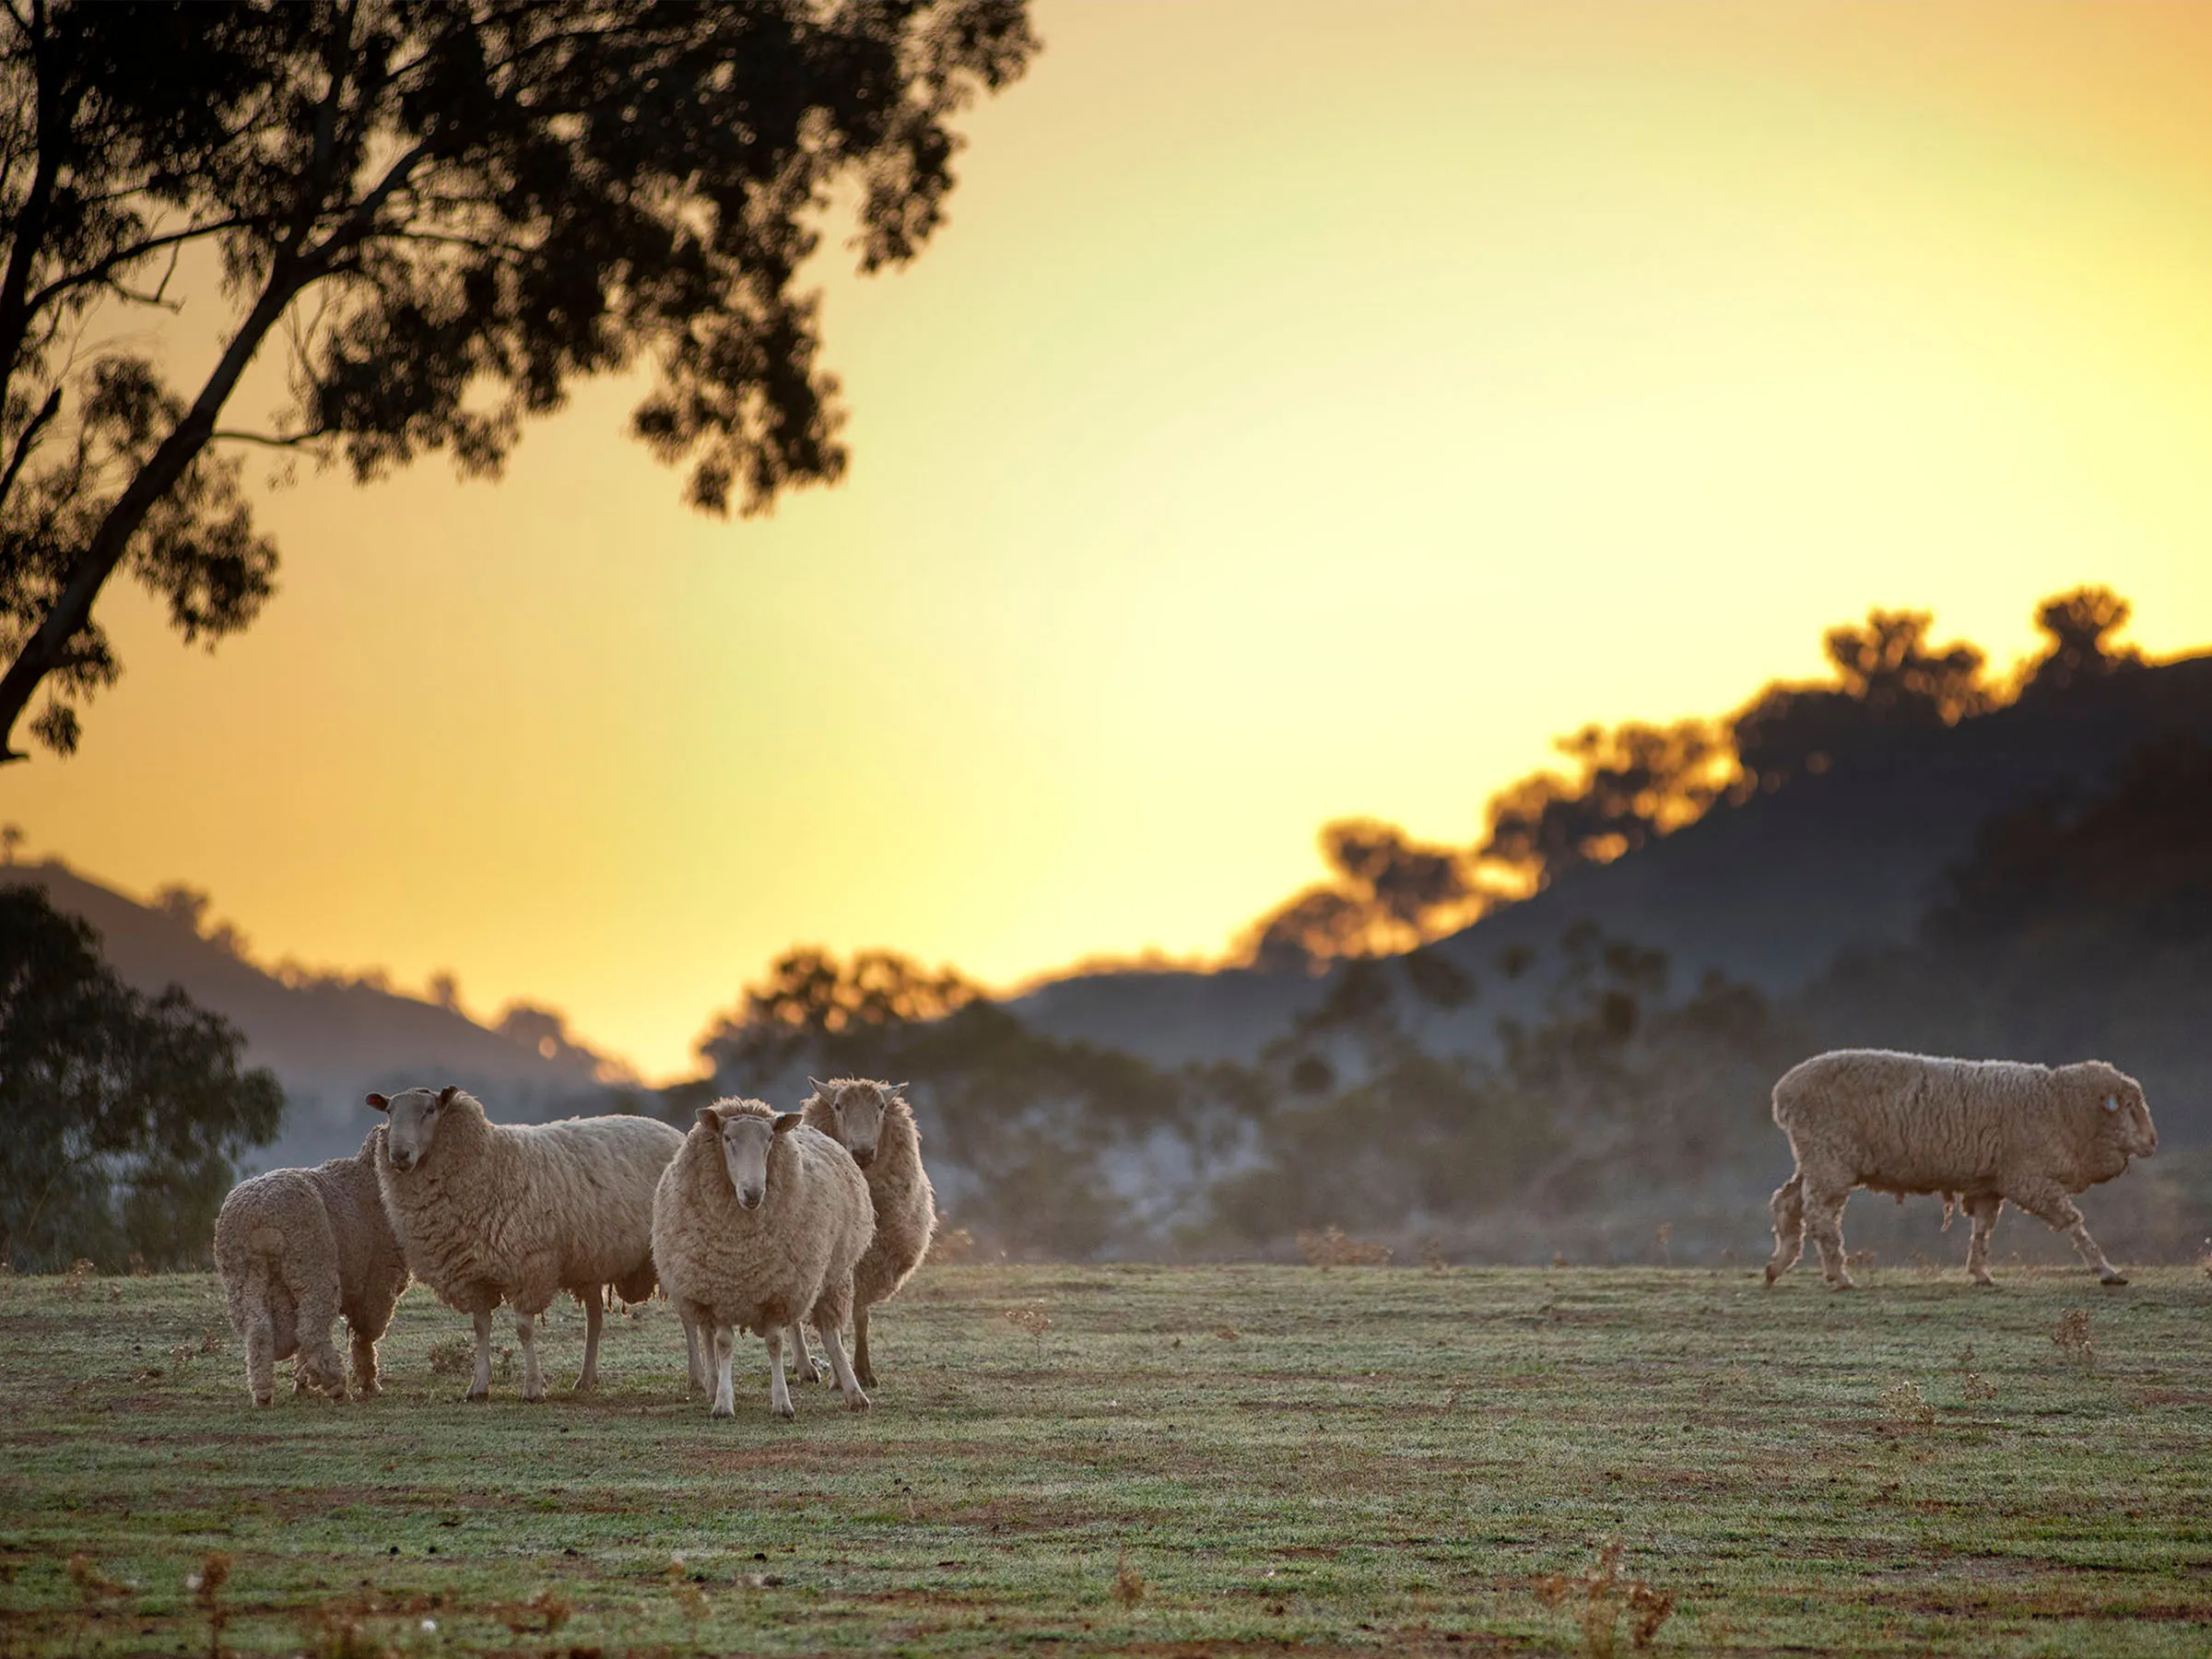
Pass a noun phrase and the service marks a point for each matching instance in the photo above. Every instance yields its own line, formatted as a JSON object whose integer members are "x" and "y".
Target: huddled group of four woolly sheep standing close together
{"x": 758, "y": 1220}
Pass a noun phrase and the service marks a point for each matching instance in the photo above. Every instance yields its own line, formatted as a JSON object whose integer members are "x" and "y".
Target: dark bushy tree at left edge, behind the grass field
{"x": 125, "y": 1114}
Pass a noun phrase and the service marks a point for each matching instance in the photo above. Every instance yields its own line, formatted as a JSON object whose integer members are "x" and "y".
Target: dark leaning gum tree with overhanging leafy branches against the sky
{"x": 444, "y": 216}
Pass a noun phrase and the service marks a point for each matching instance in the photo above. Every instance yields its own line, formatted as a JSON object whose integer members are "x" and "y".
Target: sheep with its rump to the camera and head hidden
{"x": 295, "y": 1251}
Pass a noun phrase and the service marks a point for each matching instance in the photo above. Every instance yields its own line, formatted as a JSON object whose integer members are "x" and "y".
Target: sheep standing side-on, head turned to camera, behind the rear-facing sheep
{"x": 521, "y": 1213}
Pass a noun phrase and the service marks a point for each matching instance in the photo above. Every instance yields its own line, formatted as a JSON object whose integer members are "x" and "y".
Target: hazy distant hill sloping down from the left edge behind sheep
{"x": 331, "y": 1043}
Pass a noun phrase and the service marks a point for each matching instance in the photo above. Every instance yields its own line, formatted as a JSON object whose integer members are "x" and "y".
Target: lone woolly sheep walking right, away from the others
{"x": 1976, "y": 1131}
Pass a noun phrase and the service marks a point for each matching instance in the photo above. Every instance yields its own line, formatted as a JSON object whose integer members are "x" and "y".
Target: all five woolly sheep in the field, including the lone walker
{"x": 771, "y": 1222}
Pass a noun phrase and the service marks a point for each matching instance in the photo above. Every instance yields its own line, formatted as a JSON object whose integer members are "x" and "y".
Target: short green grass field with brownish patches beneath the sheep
{"x": 1359, "y": 1461}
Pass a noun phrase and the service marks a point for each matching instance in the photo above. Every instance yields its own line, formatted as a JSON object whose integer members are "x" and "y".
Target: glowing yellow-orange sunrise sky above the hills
{"x": 1308, "y": 413}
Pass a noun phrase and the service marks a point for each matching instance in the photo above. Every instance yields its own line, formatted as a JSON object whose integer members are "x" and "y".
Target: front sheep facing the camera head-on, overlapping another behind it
{"x": 758, "y": 1224}
